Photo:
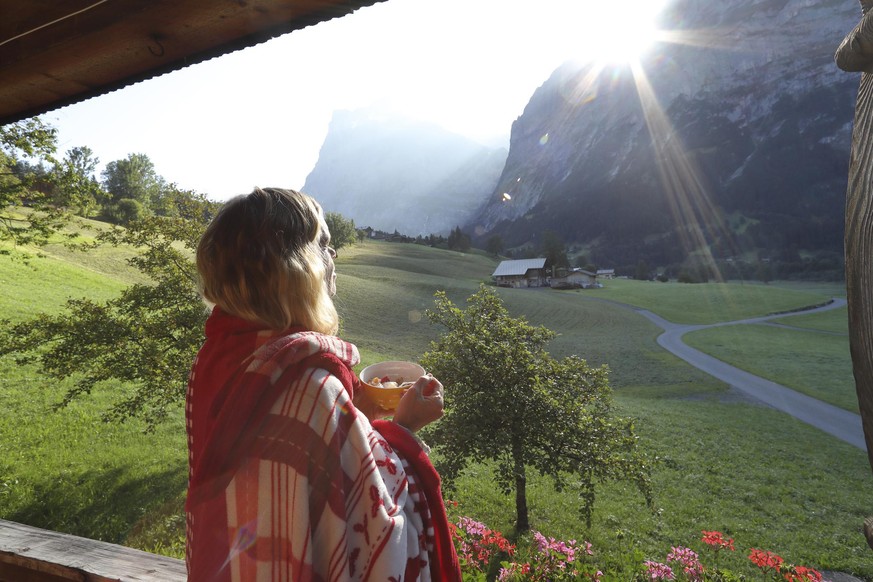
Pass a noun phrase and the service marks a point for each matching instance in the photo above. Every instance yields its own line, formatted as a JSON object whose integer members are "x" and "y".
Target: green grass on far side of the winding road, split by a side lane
{"x": 817, "y": 364}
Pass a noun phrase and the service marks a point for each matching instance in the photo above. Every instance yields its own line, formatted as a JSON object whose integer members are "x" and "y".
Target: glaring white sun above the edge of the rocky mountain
{"x": 610, "y": 32}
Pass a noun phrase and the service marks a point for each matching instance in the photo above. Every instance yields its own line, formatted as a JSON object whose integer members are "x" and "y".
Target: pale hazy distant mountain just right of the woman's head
{"x": 391, "y": 173}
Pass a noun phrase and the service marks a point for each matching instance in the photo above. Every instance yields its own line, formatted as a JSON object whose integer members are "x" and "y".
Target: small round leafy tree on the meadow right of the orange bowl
{"x": 511, "y": 403}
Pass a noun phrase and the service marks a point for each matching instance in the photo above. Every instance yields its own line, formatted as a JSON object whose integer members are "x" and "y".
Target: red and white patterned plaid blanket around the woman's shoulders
{"x": 288, "y": 481}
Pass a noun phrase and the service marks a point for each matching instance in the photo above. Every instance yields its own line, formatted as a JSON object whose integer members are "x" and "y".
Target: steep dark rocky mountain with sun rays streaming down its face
{"x": 733, "y": 144}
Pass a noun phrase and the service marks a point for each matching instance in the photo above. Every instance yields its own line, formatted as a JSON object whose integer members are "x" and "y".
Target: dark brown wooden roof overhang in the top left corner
{"x": 58, "y": 52}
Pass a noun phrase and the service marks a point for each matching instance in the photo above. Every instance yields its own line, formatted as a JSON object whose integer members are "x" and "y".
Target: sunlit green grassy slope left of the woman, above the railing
{"x": 67, "y": 470}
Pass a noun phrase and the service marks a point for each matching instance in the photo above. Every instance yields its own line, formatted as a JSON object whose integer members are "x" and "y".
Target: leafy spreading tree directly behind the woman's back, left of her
{"x": 147, "y": 337}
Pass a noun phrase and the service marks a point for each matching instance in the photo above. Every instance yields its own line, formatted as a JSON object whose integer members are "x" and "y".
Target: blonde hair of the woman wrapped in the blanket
{"x": 262, "y": 258}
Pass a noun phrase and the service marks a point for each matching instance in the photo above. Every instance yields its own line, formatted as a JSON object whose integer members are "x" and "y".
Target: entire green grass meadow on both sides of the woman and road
{"x": 724, "y": 462}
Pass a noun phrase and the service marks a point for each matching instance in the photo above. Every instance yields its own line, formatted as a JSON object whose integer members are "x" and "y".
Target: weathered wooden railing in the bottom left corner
{"x": 30, "y": 554}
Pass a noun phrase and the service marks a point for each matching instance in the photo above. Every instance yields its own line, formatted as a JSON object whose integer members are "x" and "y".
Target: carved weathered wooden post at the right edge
{"x": 855, "y": 54}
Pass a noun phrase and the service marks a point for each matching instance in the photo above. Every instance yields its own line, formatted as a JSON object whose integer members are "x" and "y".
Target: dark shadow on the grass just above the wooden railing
{"x": 109, "y": 504}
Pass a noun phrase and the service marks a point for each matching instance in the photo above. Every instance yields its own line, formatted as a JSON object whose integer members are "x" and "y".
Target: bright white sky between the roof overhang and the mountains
{"x": 258, "y": 117}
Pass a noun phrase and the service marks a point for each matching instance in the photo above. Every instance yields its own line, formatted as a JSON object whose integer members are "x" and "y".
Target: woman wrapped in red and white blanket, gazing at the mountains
{"x": 293, "y": 475}
